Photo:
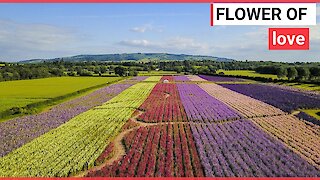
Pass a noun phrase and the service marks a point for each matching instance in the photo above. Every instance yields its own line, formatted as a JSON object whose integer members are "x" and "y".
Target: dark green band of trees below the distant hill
{"x": 298, "y": 71}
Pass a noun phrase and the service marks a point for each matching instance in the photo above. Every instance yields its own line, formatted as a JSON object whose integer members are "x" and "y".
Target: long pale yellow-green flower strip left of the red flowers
{"x": 75, "y": 145}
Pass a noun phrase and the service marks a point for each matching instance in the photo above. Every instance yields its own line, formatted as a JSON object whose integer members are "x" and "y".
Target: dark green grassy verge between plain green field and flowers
{"x": 40, "y": 106}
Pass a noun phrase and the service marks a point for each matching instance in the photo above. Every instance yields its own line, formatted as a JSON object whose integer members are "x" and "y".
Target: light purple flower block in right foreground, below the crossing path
{"x": 240, "y": 149}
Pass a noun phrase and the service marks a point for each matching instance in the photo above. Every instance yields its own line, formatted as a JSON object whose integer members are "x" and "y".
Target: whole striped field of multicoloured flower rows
{"x": 168, "y": 126}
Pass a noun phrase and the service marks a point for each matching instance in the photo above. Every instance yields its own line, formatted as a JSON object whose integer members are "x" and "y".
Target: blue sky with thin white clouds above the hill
{"x": 57, "y": 30}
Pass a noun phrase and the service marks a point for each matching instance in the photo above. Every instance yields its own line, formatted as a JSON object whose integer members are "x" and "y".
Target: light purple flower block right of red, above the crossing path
{"x": 200, "y": 106}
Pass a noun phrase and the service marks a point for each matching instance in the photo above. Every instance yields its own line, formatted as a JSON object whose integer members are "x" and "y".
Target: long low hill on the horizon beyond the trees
{"x": 131, "y": 57}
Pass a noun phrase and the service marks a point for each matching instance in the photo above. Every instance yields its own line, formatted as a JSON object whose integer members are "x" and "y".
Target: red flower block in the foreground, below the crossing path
{"x": 157, "y": 151}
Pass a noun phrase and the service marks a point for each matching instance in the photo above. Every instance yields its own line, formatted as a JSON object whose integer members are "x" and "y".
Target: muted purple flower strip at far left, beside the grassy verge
{"x": 19, "y": 131}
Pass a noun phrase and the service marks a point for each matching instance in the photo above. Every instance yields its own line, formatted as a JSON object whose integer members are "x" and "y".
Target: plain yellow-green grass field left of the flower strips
{"x": 23, "y": 92}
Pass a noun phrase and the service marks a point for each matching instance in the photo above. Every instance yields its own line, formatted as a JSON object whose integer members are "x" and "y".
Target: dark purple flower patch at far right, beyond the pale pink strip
{"x": 284, "y": 99}
